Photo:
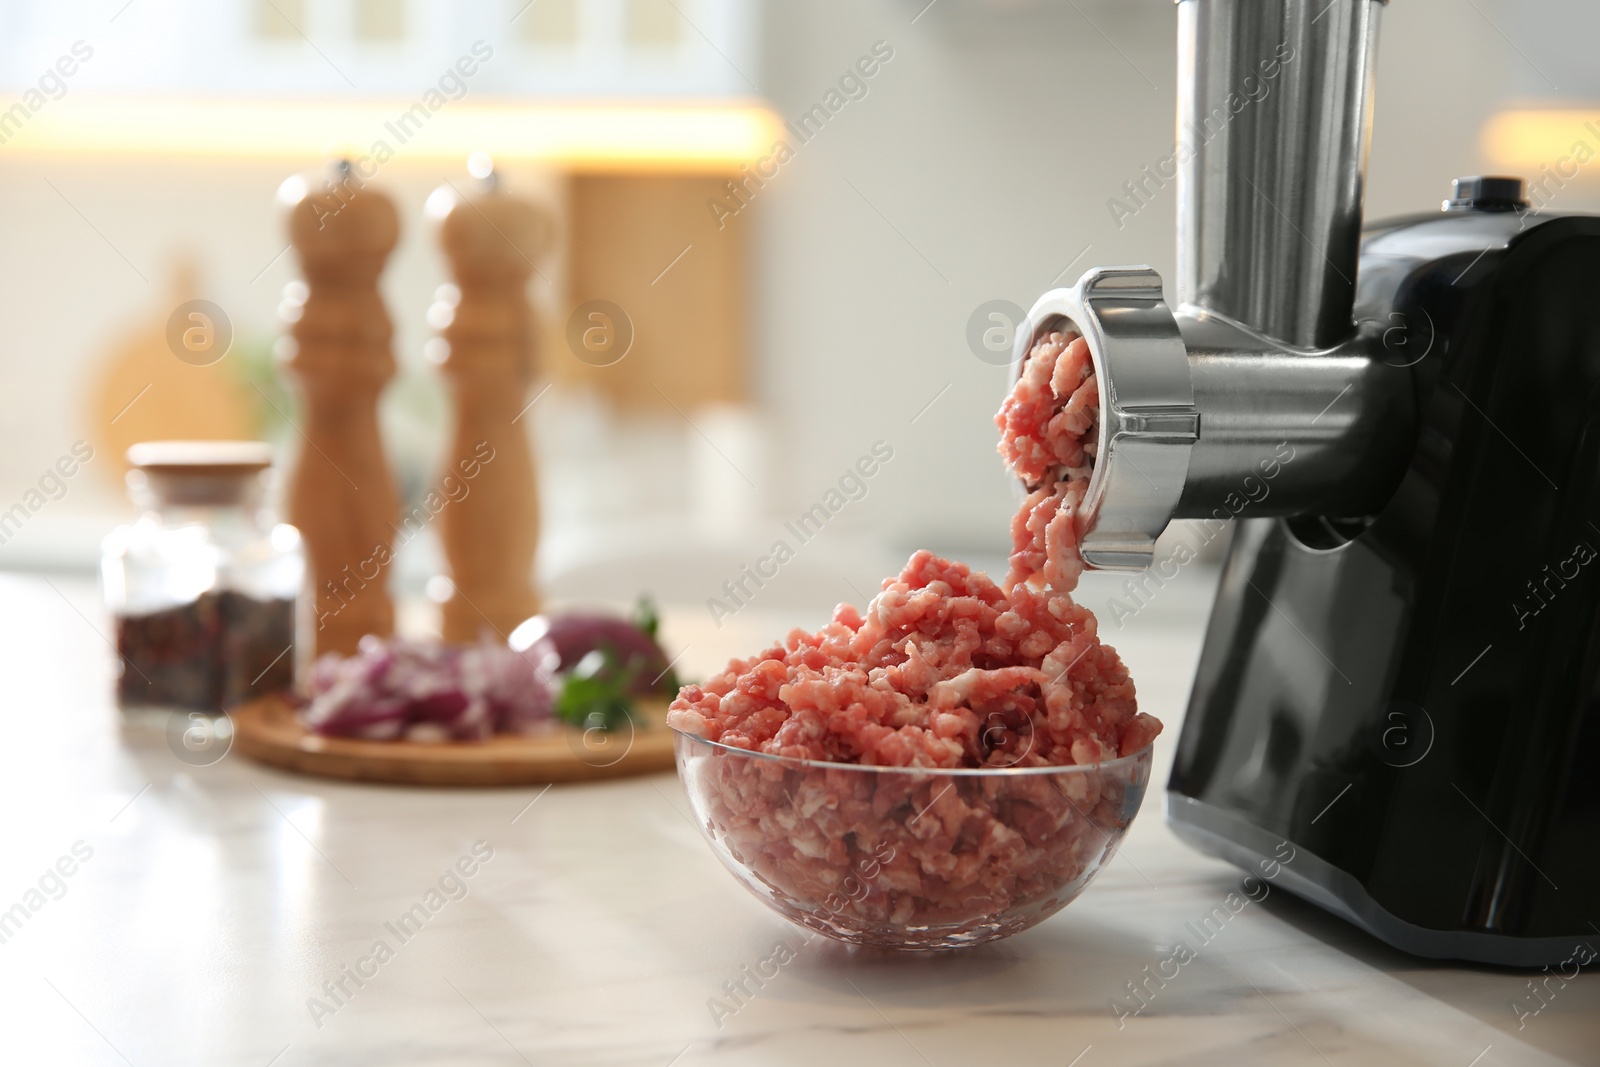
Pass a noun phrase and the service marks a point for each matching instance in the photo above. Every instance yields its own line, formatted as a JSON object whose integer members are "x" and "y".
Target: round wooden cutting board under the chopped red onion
{"x": 270, "y": 732}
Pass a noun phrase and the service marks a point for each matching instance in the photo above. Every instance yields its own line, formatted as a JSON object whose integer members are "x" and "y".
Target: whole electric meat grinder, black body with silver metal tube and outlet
{"x": 1402, "y": 669}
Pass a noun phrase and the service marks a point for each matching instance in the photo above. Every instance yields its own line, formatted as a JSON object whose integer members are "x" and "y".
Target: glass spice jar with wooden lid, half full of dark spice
{"x": 204, "y": 589}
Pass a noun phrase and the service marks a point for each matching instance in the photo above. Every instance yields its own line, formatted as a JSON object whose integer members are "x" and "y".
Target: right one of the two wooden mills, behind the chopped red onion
{"x": 487, "y": 330}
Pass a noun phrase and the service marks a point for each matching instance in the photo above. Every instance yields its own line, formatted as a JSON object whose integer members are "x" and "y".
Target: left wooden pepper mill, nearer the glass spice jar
{"x": 340, "y": 494}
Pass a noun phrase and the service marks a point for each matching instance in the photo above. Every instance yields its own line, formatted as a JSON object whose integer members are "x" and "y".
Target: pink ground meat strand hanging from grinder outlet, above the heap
{"x": 1049, "y": 434}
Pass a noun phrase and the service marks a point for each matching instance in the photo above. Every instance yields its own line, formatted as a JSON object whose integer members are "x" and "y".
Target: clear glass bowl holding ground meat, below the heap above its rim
{"x": 910, "y": 858}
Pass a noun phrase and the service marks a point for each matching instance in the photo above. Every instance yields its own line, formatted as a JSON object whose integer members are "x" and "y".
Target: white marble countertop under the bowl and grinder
{"x": 209, "y": 906}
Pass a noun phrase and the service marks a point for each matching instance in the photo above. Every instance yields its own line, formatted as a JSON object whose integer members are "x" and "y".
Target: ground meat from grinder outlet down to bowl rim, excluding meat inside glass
{"x": 950, "y": 669}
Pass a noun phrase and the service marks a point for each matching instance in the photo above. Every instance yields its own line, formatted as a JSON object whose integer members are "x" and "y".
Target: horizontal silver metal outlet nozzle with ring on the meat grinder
{"x": 1202, "y": 418}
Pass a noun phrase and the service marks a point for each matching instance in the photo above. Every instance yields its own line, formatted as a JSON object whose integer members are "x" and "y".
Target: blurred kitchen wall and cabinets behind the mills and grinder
{"x": 774, "y": 345}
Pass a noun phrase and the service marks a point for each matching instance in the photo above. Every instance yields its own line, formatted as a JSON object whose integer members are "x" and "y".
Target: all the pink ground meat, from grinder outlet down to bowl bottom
{"x": 945, "y": 671}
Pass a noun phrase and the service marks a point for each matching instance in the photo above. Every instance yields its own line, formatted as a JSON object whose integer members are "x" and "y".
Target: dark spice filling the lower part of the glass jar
{"x": 217, "y": 652}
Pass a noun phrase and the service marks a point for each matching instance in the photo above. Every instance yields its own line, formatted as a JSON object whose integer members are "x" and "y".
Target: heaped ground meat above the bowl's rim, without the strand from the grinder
{"x": 943, "y": 671}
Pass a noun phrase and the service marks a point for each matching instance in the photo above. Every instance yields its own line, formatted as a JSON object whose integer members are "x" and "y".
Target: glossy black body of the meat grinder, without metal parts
{"x": 1414, "y": 698}
